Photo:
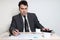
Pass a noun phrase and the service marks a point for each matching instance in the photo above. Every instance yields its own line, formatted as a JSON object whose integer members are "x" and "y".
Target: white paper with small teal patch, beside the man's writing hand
{"x": 27, "y": 36}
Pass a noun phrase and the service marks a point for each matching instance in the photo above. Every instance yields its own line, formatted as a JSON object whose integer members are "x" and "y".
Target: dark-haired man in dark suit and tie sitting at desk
{"x": 25, "y": 21}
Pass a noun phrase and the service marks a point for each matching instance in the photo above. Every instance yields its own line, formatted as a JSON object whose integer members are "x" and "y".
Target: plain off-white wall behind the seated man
{"x": 47, "y": 11}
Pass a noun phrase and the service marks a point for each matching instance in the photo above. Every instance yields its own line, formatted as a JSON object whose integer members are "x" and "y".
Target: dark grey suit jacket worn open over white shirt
{"x": 17, "y": 22}
